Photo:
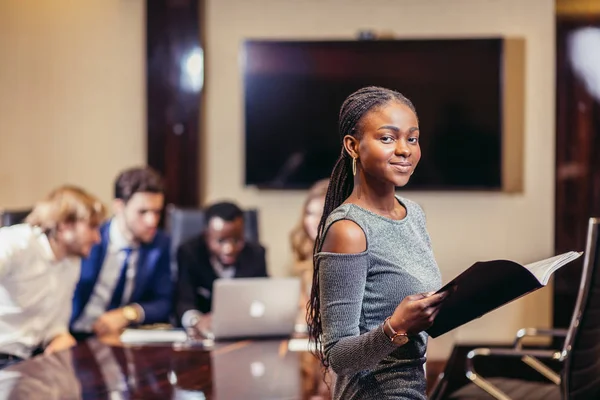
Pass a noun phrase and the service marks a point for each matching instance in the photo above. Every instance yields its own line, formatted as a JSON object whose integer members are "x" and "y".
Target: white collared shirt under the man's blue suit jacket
{"x": 108, "y": 278}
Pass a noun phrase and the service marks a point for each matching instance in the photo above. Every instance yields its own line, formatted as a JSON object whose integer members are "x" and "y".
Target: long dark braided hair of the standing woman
{"x": 340, "y": 187}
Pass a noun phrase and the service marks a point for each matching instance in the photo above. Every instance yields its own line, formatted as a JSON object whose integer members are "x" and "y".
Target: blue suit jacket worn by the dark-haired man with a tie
{"x": 153, "y": 287}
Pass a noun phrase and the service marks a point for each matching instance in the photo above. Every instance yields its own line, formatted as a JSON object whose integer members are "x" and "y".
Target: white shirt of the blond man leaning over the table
{"x": 35, "y": 290}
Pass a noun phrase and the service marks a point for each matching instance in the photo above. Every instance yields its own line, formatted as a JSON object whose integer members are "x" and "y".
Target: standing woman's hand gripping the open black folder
{"x": 416, "y": 312}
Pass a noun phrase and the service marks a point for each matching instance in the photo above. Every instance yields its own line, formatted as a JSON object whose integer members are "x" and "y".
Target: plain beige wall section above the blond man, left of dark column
{"x": 72, "y": 106}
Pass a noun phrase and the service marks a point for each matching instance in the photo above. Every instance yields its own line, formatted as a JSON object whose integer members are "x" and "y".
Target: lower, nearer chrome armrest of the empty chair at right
{"x": 486, "y": 385}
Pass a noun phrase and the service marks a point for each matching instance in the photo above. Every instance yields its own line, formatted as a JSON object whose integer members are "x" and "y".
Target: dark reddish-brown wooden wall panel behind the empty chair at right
{"x": 577, "y": 164}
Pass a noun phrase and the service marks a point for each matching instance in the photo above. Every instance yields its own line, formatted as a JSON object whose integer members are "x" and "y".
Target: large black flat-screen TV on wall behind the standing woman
{"x": 293, "y": 91}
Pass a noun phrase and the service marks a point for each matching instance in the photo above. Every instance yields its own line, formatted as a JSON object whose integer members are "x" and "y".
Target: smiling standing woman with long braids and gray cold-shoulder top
{"x": 374, "y": 274}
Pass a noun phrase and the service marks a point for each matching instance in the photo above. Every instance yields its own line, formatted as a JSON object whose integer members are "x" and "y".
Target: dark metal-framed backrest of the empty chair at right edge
{"x": 581, "y": 375}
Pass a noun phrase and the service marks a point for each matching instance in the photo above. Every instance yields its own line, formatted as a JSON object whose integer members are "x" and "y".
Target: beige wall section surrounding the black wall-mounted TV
{"x": 465, "y": 227}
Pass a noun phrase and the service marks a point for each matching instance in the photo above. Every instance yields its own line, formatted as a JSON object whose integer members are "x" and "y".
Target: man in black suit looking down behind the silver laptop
{"x": 219, "y": 253}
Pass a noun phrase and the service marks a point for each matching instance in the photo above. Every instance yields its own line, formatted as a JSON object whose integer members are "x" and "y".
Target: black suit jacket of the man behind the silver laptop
{"x": 196, "y": 274}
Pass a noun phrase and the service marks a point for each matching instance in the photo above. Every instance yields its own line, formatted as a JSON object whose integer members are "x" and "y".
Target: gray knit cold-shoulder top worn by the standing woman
{"x": 358, "y": 291}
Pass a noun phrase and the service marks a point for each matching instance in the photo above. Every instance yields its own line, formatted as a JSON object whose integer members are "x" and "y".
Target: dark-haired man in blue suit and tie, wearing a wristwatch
{"x": 126, "y": 279}
